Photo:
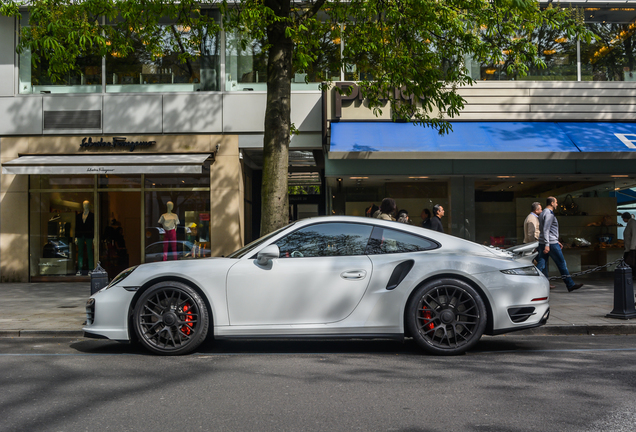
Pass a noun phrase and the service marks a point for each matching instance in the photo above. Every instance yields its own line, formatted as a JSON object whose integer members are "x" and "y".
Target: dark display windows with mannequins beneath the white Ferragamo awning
{"x": 77, "y": 221}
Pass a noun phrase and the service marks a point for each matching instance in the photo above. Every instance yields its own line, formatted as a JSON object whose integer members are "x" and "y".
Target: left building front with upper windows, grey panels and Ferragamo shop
{"x": 91, "y": 163}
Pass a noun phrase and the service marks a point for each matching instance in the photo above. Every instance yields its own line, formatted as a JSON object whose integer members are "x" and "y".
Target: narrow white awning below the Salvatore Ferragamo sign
{"x": 190, "y": 163}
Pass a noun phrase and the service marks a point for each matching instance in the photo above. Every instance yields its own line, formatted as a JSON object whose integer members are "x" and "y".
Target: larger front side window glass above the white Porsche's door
{"x": 328, "y": 239}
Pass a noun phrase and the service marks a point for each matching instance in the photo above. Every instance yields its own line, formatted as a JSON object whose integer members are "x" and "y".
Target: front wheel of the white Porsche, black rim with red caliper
{"x": 171, "y": 318}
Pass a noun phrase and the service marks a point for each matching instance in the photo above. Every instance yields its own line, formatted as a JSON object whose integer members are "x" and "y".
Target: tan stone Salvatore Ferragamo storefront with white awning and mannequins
{"x": 120, "y": 201}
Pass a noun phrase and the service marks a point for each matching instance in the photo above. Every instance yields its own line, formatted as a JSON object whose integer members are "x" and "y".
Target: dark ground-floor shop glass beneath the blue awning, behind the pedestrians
{"x": 494, "y": 210}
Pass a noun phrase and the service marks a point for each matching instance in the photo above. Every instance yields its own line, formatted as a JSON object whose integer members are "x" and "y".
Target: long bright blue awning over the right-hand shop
{"x": 482, "y": 140}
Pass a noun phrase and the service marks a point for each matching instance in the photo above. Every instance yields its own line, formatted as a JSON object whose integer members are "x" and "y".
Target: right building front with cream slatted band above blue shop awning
{"x": 566, "y": 130}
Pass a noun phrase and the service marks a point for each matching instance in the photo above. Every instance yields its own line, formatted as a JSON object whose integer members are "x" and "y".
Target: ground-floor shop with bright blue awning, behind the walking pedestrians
{"x": 486, "y": 174}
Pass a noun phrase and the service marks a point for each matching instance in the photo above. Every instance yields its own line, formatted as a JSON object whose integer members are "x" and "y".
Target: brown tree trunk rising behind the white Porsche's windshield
{"x": 275, "y": 208}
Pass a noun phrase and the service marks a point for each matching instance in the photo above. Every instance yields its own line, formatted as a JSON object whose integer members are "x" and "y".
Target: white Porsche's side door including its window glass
{"x": 319, "y": 277}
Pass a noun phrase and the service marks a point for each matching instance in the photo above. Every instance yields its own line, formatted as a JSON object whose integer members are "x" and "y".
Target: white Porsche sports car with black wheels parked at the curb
{"x": 332, "y": 276}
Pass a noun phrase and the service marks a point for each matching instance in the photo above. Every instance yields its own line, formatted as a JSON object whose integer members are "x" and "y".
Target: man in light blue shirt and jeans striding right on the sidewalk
{"x": 549, "y": 245}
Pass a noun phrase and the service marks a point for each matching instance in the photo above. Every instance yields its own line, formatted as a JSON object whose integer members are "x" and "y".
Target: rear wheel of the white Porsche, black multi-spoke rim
{"x": 446, "y": 317}
